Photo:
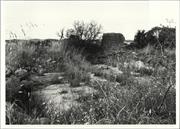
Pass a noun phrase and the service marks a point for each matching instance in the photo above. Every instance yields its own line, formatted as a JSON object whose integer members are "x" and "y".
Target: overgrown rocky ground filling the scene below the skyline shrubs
{"x": 127, "y": 88}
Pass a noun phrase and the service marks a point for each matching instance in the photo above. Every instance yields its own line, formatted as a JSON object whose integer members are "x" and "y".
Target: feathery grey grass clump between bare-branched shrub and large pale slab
{"x": 74, "y": 64}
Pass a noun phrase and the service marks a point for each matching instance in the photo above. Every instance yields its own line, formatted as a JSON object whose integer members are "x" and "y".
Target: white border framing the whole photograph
{"x": 2, "y": 86}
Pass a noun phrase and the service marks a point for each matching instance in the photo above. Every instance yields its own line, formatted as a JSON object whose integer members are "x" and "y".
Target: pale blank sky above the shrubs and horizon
{"x": 38, "y": 19}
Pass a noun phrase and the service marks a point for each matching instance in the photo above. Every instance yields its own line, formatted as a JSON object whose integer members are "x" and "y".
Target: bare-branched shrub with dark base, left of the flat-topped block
{"x": 84, "y": 37}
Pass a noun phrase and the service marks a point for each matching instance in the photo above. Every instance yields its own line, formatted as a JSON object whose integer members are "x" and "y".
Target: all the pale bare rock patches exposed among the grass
{"x": 58, "y": 94}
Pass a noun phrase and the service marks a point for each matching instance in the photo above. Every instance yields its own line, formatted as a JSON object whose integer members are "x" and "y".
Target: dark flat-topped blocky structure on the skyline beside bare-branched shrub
{"x": 112, "y": 41}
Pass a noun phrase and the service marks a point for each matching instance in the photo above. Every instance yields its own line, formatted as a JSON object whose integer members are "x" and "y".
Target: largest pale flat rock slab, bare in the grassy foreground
{"x": 62, "y": 97}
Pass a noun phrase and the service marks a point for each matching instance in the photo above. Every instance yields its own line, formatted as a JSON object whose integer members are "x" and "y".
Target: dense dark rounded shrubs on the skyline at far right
{"x": 159, "y": 37}
